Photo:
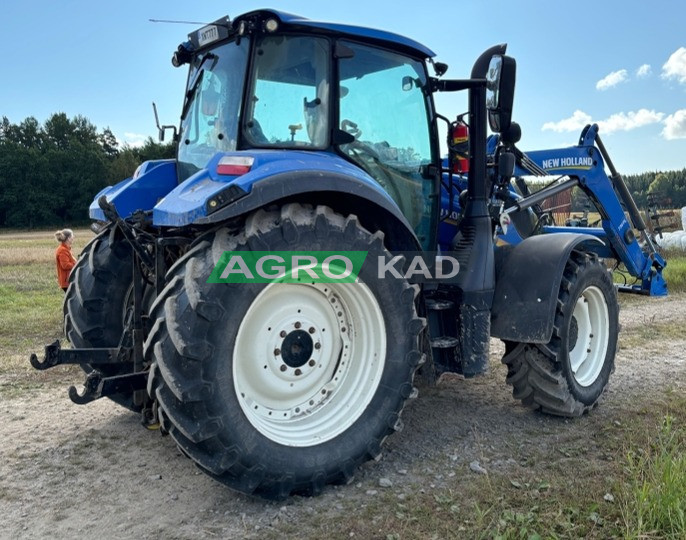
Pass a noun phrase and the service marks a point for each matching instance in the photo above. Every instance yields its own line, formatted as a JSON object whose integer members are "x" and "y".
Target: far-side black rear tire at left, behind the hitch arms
{"x": 98, "y": 296}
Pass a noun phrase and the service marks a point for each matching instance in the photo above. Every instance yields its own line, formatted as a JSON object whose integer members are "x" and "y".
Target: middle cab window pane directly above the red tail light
{"x": 289, "y": 93}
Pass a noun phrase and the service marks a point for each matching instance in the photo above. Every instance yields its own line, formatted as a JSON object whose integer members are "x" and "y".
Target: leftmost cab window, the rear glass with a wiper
{"x": 212, "y": 108}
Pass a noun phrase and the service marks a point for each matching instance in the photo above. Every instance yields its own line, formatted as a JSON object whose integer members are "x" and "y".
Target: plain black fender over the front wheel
{"x": 528, "y": 278}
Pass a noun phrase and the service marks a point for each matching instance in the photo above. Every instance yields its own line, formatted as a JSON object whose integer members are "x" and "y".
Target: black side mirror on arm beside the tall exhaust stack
{"x": 500, "y": 82}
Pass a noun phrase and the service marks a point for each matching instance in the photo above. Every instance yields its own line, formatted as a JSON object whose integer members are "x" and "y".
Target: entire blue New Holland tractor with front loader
{"x": 299, "y": 136}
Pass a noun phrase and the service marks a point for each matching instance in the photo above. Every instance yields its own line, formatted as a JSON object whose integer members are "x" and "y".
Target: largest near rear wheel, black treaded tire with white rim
{"x": 282, "y": 388}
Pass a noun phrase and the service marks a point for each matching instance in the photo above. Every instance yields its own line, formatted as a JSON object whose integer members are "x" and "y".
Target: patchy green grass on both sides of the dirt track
{"x": 647, "y": 472}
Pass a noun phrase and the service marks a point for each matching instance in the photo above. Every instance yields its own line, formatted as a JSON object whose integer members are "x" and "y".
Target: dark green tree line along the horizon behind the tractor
{"x": 50, "y": 172}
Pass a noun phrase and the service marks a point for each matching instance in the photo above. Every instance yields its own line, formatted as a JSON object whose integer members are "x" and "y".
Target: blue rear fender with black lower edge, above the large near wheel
{"x": 207, "y": 197}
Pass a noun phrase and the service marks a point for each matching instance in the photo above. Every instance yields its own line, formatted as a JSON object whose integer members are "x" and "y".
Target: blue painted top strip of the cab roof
{"x": 364, "y": 33}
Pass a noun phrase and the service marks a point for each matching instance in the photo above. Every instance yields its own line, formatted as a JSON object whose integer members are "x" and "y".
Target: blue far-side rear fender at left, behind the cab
{"x": 152, "y": 181}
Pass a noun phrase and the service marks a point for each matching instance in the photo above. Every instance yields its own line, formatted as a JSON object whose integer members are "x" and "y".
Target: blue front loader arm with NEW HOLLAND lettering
{"x": 584, "y": 166}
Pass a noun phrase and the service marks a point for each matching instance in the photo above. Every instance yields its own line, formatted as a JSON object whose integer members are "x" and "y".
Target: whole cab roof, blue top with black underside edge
{"x": 381, "y": 37}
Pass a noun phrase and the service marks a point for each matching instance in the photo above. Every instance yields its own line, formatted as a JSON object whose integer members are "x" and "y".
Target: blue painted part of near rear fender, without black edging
{"x": 186, "y": 204}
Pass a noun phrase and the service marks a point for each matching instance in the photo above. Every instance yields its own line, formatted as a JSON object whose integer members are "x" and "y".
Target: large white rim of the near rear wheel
{"x": 300, "y": 401}
